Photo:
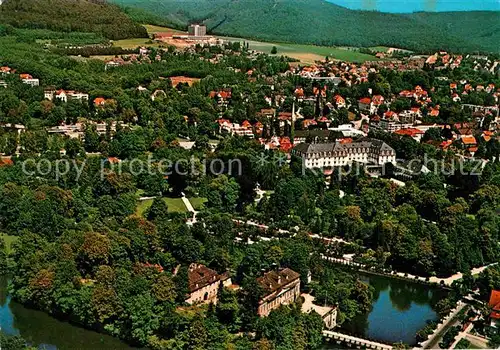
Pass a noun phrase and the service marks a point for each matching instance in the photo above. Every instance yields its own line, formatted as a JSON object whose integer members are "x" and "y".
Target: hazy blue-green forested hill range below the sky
{"x": 320, "y": 22}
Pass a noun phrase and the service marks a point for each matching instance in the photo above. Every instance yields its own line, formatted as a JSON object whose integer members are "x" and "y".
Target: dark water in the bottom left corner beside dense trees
{"x": 46, "y": 332}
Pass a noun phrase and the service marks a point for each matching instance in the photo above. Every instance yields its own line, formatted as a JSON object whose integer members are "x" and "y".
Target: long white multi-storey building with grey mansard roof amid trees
{"x": 327, "y": 155}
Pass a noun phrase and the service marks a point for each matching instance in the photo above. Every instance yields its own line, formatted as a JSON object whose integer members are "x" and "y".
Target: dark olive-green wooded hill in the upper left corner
{"x": 71, "y": 16}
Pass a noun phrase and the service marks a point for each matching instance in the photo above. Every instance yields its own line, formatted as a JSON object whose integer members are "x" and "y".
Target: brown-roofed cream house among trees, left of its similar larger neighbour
{"x": 203, "y": 284}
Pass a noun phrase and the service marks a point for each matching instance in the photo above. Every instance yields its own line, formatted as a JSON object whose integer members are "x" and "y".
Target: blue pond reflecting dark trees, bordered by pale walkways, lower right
{"x": 400, "y": 309}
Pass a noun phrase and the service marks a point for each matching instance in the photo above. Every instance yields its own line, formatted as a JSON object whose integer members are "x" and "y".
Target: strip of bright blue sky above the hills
{"x": 405, "y": 6}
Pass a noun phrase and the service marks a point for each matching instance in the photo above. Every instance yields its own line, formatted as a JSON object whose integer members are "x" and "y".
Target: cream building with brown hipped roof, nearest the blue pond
{"x": 282, "y": 287}
